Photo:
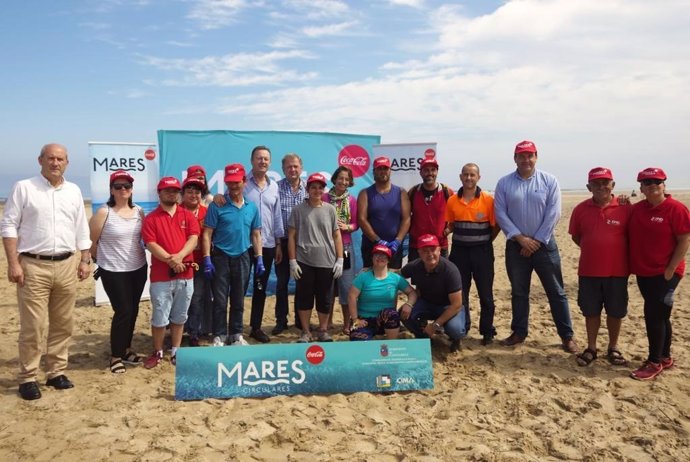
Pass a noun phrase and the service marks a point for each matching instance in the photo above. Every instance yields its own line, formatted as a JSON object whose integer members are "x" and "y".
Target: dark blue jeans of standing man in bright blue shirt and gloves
{"x": 232, "y": 277}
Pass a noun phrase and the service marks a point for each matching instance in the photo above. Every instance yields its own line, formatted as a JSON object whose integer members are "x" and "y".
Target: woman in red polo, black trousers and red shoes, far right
{"x": 659, "y": 236}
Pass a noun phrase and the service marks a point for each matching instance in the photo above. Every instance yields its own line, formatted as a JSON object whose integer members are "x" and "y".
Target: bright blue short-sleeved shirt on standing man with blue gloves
{"x": 232, "y": 226}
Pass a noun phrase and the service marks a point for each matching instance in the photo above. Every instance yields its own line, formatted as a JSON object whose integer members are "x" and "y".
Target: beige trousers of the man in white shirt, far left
{"x": 46, "y": 301}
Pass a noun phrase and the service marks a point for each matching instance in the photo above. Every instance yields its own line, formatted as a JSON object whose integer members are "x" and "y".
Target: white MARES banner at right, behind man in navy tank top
{"x": 405, "y": 159}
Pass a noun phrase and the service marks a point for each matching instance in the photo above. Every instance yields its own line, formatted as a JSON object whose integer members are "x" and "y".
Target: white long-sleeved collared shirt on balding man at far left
{"x": 46, "y": 220}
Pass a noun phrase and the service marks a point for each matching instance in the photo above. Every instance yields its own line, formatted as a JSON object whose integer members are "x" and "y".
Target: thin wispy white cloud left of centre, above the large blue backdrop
{"x": 241, "y": 69}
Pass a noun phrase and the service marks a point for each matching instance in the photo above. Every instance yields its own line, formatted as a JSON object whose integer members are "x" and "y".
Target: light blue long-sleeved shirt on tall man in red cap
{"x": 530, "y": 207}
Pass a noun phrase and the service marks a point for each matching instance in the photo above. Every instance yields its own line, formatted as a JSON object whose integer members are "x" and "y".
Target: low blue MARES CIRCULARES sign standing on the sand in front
{"x": 301, "y": 368}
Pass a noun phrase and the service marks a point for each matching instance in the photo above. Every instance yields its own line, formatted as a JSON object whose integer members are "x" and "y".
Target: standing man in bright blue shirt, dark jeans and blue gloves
{"x": 232, "y": 229}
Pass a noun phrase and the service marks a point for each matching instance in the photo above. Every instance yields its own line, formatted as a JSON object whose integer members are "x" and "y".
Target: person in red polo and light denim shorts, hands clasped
{"x": 170, "y": 233}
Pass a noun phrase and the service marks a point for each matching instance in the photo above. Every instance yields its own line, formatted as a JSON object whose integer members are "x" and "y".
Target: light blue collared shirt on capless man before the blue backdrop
{"x": 268, "y": 202}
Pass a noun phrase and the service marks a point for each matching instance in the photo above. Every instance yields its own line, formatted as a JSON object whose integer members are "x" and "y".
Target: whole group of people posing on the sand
{"x": 204, "y": 250}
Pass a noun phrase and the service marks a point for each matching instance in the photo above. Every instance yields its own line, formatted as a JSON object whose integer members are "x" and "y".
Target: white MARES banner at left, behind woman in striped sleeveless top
{"x": 139, "y": 160}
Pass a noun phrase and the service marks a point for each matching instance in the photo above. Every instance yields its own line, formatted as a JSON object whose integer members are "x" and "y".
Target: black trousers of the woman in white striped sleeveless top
{"x": 124, "y": 290}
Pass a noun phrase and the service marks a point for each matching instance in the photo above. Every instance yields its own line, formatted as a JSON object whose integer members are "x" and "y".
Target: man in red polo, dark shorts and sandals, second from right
{"x": 599, "y": 226}
